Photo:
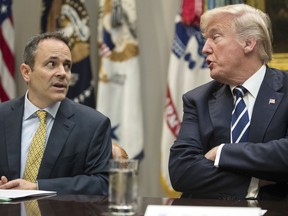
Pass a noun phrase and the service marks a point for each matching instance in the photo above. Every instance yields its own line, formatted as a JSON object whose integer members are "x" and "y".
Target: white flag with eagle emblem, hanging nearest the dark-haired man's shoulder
{"x": 119, "y": 95}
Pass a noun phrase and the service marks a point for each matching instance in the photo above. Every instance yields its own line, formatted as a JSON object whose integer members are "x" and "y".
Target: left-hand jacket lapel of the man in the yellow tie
{"x": 13, "y": 128}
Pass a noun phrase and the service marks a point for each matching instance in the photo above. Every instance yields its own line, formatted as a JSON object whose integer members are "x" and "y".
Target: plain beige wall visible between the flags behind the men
{"x": 155, "y": 32}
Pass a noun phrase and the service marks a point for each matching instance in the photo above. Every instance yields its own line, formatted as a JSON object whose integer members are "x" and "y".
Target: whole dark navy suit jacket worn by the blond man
{"x": 206, "y": 124}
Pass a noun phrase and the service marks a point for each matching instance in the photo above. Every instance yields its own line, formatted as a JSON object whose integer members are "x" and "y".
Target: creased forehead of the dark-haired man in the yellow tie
{"x": 53, "y": 47}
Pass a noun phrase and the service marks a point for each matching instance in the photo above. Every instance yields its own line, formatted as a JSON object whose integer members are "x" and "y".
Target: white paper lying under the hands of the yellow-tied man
{"x": 6, "y": 195}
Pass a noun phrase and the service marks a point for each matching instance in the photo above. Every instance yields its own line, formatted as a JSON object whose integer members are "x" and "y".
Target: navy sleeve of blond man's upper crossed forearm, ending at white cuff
{"x": 262, "y": 160}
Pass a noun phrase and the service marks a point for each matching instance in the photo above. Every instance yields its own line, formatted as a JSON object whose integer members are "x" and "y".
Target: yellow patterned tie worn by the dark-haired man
{"x": 36, "y": 149}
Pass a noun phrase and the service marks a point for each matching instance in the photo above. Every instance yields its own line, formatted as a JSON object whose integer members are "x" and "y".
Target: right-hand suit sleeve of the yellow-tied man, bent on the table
{"x": 94, "y": 178}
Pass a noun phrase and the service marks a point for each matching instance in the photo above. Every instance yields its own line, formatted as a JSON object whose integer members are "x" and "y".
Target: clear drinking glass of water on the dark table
{"x": 123, "y": 187}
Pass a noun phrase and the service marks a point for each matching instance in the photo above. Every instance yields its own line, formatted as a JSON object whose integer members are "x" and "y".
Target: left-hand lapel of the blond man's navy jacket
{"x": 219, "y": 105}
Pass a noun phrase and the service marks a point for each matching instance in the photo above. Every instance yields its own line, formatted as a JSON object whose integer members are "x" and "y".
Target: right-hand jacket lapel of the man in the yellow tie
{"x": 60, "y": 131}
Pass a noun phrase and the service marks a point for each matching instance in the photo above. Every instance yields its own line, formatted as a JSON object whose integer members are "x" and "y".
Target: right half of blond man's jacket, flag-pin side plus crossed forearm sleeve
{"x": 265, "y": 155}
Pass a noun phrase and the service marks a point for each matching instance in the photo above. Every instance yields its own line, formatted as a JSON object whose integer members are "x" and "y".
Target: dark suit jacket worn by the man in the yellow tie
{"x": 77, "y": 152}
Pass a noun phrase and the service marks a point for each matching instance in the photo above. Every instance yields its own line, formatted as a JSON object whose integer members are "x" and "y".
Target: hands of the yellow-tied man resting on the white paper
{"x": 17, "y": 184}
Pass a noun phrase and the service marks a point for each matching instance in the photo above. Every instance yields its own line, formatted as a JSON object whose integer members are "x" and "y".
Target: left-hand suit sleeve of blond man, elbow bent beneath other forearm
{"x": 190, "y": 172}
